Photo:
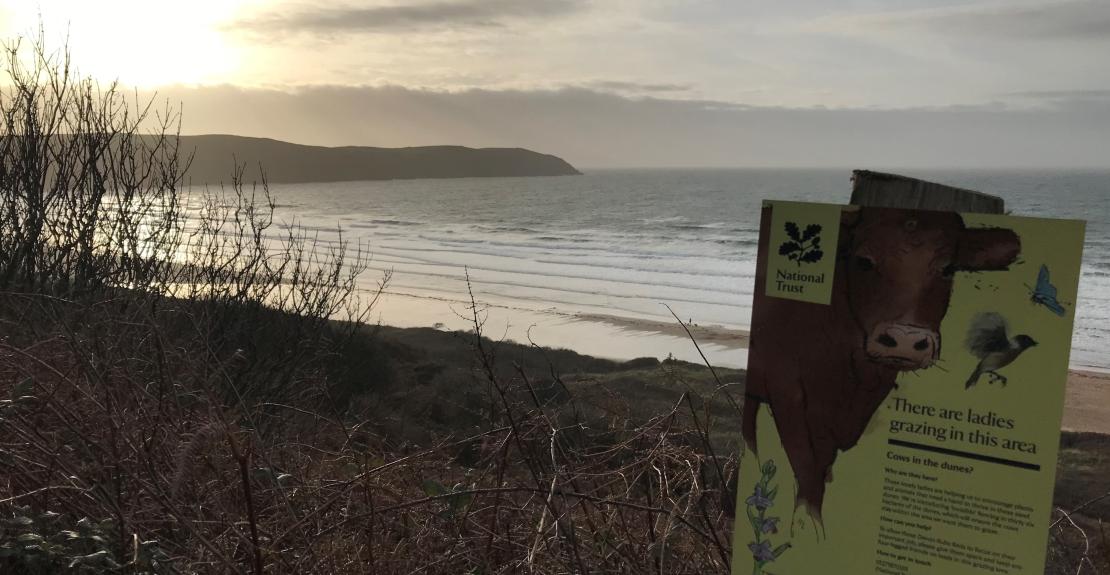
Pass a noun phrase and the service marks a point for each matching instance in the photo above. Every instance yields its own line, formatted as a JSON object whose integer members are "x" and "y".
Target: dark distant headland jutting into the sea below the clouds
{"x": 295, "y": 164}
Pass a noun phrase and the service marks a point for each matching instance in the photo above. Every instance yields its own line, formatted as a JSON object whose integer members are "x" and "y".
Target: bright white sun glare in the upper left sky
{"x": 143, "y": 44}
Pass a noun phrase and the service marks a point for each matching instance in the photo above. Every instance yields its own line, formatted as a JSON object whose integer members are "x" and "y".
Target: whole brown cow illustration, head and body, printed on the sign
{"x": 824, "y": 370}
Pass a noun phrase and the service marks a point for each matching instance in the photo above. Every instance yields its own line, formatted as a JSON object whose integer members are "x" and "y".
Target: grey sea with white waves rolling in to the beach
{"x": 547, "y": 258}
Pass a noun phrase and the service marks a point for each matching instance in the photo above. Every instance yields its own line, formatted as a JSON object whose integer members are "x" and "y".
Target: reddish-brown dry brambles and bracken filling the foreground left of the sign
{"x": 134, "y": 446}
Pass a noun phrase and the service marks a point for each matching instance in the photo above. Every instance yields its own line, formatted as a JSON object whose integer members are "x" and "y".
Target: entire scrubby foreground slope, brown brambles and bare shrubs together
{"x": 176, "y": 396}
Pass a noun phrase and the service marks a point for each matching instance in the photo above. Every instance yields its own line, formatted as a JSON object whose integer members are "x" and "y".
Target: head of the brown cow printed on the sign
{"x": 900, "y": 267}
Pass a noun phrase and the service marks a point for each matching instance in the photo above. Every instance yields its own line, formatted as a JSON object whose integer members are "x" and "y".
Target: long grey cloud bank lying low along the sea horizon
{"x": 596, "y": 129}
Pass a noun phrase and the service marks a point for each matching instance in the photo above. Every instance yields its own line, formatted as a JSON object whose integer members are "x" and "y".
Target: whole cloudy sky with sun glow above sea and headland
{"x": 941, "y": 84}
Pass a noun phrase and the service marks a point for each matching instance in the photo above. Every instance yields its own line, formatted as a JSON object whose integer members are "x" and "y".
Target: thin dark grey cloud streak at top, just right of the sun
{"x": 391, "y": 18}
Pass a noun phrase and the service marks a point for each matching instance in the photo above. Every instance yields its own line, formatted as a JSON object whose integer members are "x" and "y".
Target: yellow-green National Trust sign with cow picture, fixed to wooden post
{"x": 905, "y": 390}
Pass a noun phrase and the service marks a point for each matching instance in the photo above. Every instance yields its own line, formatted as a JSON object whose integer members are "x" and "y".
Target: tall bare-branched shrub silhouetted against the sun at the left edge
{"x": 84, "y": 196}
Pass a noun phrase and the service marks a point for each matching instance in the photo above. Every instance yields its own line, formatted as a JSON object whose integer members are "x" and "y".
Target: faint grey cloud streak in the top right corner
{"x": 1067, "y": 21}
